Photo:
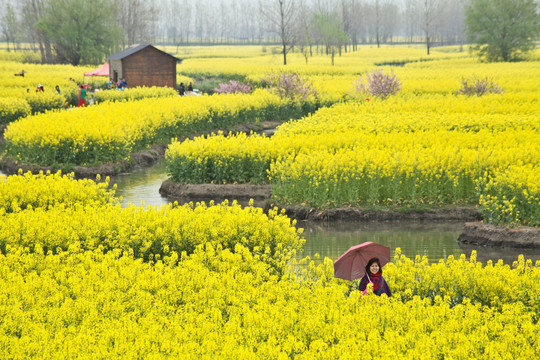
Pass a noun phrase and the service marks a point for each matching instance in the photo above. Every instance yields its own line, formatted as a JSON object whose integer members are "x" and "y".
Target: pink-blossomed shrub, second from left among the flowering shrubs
{"x": 289, "y": 86}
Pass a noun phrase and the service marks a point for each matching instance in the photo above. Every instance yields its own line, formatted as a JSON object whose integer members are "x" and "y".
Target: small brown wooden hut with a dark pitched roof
{"x": 143, "y": 65}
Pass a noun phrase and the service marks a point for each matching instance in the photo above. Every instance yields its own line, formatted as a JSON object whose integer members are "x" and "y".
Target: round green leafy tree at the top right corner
{"x": 503, "y": 30}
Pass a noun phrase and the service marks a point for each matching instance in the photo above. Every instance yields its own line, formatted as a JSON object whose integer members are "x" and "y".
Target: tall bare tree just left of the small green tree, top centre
{"x": 282, "y": 21}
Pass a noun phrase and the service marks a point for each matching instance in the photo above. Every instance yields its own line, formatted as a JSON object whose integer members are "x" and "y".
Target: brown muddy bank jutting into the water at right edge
{"x": 480, "y": 234}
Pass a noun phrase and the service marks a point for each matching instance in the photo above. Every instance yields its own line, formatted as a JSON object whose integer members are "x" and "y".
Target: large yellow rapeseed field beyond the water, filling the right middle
{"x": 426, "y": 145}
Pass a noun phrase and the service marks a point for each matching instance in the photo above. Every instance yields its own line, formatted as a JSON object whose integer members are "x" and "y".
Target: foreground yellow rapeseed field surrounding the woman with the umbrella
{"x": 82, "y": 277}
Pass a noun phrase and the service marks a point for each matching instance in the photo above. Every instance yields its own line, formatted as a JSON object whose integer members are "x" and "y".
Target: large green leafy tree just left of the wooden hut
{"x": 81, "y": 31}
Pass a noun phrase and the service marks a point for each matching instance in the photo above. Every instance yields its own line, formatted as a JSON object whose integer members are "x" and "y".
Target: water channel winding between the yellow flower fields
{"x": 436, "y": 240}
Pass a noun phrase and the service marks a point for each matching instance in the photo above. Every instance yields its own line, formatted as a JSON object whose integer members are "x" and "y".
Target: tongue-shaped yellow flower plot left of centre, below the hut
{"x": 111, "y": 131}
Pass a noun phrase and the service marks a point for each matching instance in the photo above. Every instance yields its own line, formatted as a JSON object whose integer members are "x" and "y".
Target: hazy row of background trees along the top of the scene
{"x": 78, "y": 30}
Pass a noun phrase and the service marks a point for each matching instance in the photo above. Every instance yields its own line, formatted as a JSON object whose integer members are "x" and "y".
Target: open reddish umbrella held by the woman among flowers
{"x": 352, "y": 264}
